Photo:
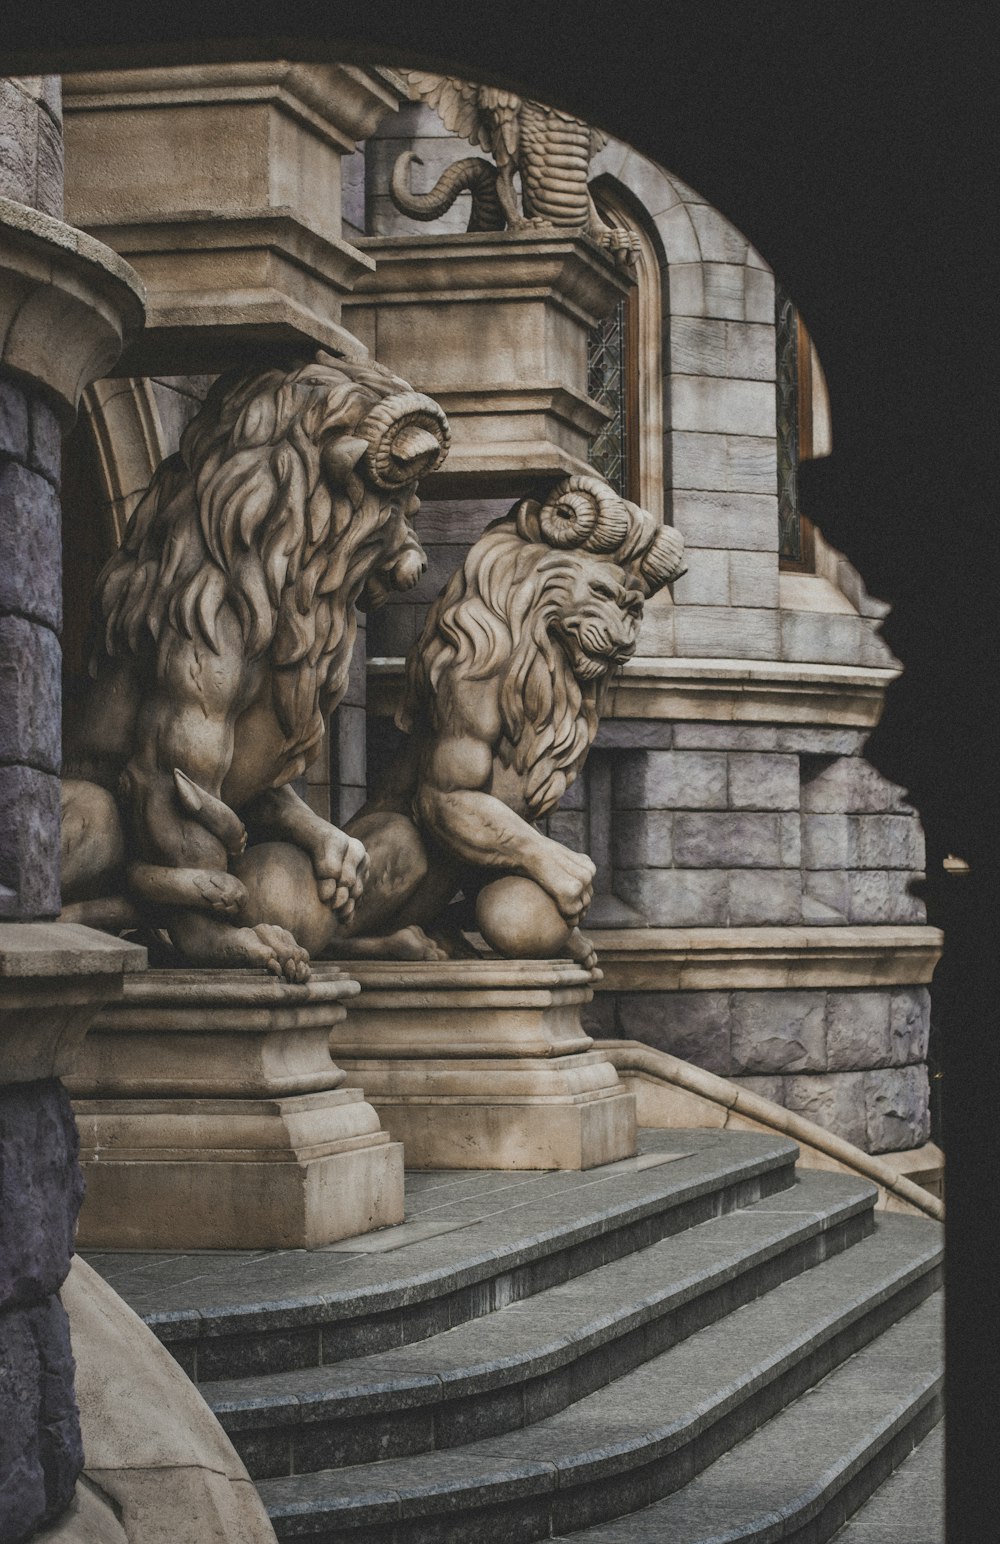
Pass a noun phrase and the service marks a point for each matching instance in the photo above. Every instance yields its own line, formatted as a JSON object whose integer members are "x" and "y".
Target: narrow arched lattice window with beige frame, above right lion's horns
{"x": 626, "y": 371}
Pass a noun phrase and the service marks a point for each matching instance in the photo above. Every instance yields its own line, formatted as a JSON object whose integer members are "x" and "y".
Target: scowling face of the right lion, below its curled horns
{"x": 598, "y": 617}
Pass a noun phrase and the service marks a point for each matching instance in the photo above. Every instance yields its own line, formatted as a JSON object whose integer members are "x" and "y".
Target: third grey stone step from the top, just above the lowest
{"x": 652, "y": 1431}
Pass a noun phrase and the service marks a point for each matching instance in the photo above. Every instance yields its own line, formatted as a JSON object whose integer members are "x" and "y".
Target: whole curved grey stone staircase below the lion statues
{"x": 695, "y": 1346}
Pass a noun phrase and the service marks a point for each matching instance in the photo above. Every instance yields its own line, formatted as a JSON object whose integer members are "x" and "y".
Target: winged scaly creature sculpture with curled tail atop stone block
{"x": 549, "y": 149}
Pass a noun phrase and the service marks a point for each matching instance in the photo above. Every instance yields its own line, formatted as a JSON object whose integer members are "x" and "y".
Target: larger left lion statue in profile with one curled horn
{"x": 225, "y": 631}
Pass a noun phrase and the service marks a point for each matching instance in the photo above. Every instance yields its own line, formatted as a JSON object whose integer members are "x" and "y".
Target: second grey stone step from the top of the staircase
{"x": 535, "y": 1358}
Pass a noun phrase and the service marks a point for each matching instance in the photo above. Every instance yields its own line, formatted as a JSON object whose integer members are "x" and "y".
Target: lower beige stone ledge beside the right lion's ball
{"x": 740, "y": 960}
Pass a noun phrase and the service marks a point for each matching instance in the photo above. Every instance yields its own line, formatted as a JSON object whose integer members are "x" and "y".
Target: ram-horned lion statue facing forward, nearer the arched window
{"x": 504, "y": 697}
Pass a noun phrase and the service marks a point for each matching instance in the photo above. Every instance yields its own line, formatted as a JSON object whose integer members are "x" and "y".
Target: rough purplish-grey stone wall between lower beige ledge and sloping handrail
{"x": 851, "y": 1060}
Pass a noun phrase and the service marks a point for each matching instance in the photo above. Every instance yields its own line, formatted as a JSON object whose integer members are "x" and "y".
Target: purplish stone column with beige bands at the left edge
{"x": 66, "y": 308}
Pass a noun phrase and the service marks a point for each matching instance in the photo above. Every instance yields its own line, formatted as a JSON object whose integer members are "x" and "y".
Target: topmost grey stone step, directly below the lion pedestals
{"x": 473, "y": 1242}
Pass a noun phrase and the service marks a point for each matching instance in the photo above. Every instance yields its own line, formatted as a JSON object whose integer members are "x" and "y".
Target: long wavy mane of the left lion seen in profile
{"x": 258, "y": 515}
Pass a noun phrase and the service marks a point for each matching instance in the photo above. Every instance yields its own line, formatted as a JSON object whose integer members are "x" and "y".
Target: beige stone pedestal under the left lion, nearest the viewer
{"x": 212, "y": 1119}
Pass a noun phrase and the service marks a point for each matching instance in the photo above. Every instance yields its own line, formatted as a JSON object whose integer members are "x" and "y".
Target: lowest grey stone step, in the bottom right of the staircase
{"x": 814, "y": 1464}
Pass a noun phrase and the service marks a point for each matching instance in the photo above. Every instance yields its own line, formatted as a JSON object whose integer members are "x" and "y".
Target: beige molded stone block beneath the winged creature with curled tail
{"x": 495, "y": 327}
